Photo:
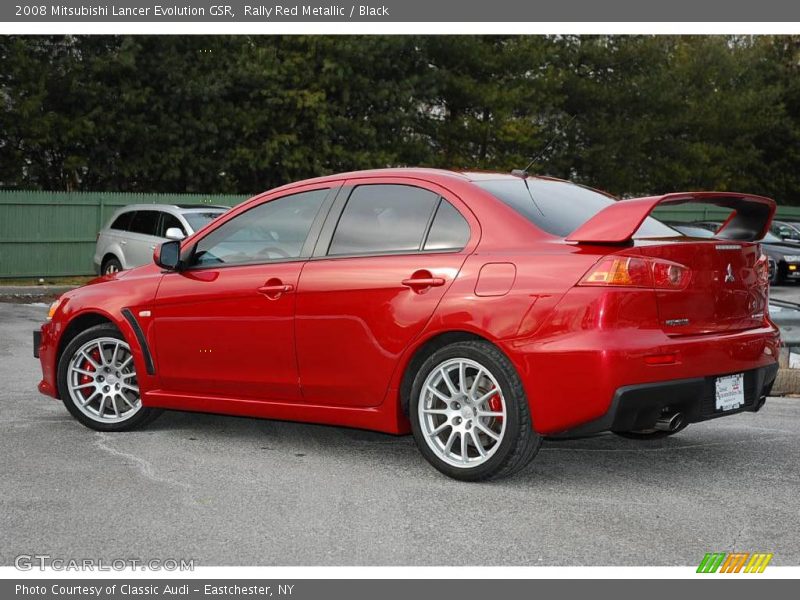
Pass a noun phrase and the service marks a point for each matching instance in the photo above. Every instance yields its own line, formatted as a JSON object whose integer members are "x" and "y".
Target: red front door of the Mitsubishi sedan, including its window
{"x": 224, "y": 325}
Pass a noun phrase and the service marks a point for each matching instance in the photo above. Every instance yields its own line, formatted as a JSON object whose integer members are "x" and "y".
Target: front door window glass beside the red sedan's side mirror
{"x": 271, "y": 231}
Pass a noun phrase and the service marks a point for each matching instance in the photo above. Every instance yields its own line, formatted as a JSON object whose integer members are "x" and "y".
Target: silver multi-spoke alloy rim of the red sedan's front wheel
{"x": 101, "y": 379}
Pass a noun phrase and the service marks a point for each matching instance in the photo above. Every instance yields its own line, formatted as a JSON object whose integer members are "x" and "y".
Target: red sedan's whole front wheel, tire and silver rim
{"x": 97, "y": 381}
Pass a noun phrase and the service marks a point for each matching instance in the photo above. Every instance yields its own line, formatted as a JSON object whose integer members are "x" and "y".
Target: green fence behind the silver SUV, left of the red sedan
{"x": 46, "y": 234}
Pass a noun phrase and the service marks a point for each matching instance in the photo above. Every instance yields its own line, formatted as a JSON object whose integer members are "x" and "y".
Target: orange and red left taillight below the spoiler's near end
{"x": 635, "y": 271}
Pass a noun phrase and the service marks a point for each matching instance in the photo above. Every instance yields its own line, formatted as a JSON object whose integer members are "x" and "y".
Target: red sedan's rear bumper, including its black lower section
{"x": 574, "y": 380}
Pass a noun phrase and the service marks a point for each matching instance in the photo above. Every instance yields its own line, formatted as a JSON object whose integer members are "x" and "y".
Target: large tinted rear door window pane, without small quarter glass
{"x": 383, "y": 218}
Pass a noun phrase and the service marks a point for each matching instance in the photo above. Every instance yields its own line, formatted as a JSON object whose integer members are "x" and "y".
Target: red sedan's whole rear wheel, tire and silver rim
{"x": 469, "y": 413}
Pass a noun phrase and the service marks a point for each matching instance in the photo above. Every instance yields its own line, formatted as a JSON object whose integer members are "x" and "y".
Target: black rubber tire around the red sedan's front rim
{"x": 141, "y": 418}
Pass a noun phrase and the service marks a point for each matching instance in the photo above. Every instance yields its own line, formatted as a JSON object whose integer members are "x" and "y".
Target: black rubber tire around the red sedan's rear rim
{"x": 519, "y": 443}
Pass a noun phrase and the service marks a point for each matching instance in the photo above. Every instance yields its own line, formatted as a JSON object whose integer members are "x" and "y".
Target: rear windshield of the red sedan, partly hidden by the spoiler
{"x": 559, "y": 207}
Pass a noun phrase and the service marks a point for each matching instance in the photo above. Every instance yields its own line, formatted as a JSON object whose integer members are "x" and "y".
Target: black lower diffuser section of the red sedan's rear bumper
{"x": 637, "y": 407}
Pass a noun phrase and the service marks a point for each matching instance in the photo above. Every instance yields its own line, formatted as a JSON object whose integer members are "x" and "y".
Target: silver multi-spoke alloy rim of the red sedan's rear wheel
{"x": 462, "y": 412}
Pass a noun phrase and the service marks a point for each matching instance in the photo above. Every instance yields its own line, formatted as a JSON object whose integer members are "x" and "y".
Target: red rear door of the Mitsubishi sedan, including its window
{"x": 385, "y": 258}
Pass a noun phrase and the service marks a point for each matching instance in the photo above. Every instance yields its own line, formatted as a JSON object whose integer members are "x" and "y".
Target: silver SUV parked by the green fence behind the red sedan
{"x": 134, "y": 231}
